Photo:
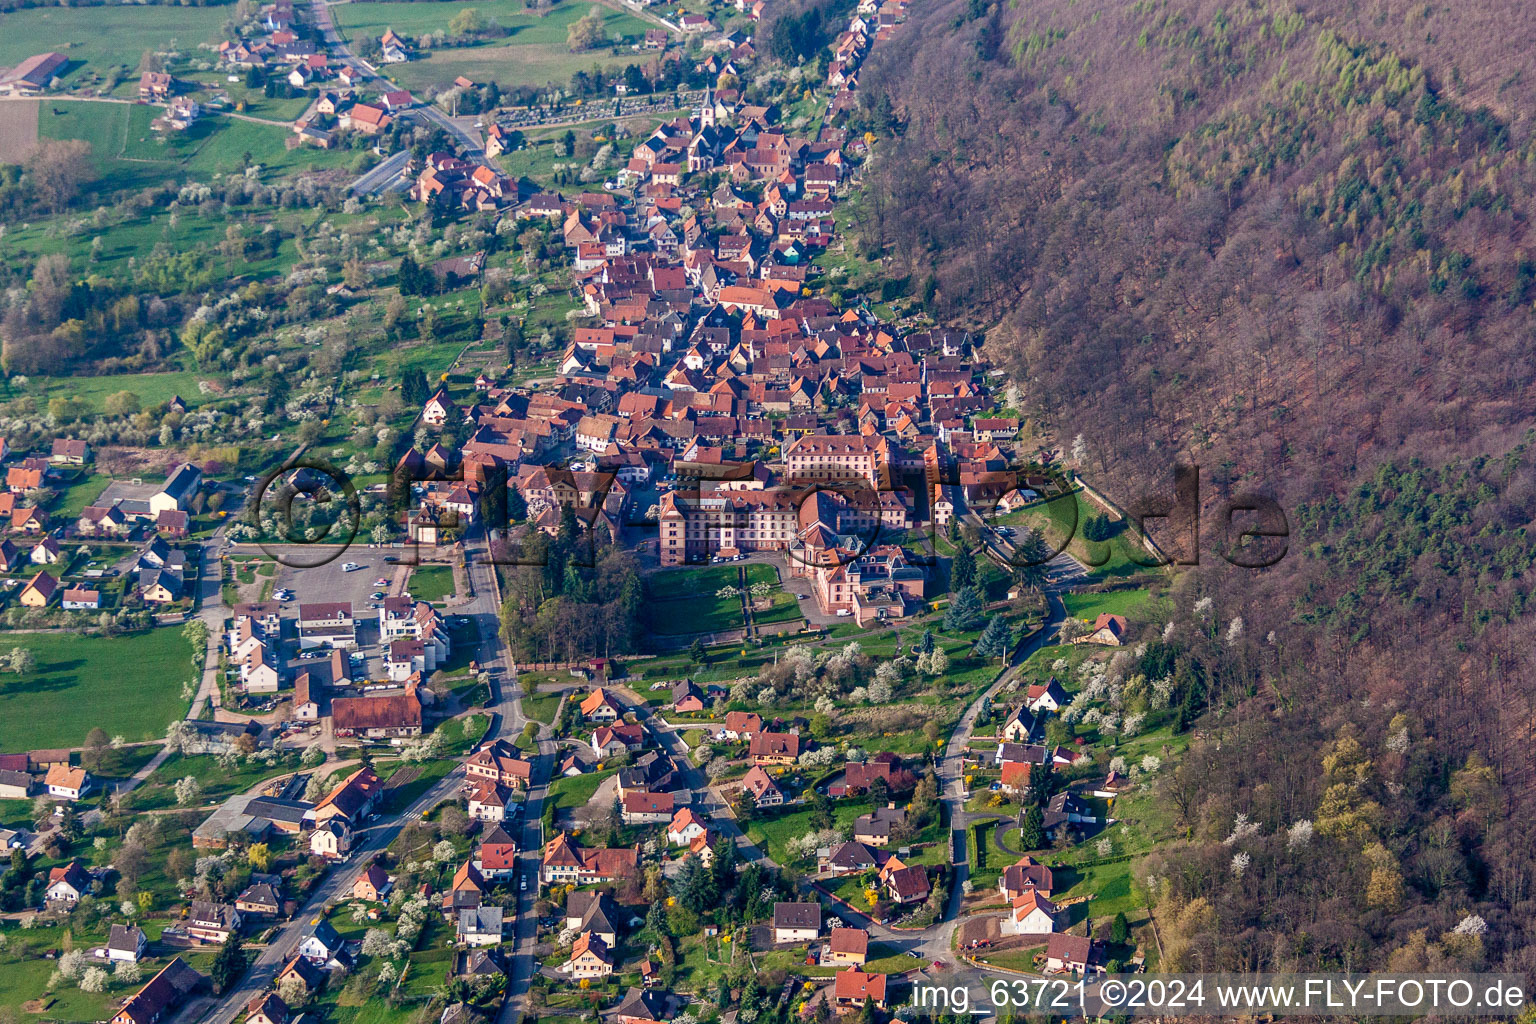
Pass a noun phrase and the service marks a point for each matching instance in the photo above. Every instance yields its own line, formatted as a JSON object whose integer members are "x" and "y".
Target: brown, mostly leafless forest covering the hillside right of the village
{"x": 1288, "y": 243}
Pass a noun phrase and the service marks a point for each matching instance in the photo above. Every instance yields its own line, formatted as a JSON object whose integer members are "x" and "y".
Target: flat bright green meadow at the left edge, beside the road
{"x": 131, "y": 687}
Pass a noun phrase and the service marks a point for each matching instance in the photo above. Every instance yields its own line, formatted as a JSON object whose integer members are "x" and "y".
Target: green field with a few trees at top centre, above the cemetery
{"x": 532, "y": 55}
